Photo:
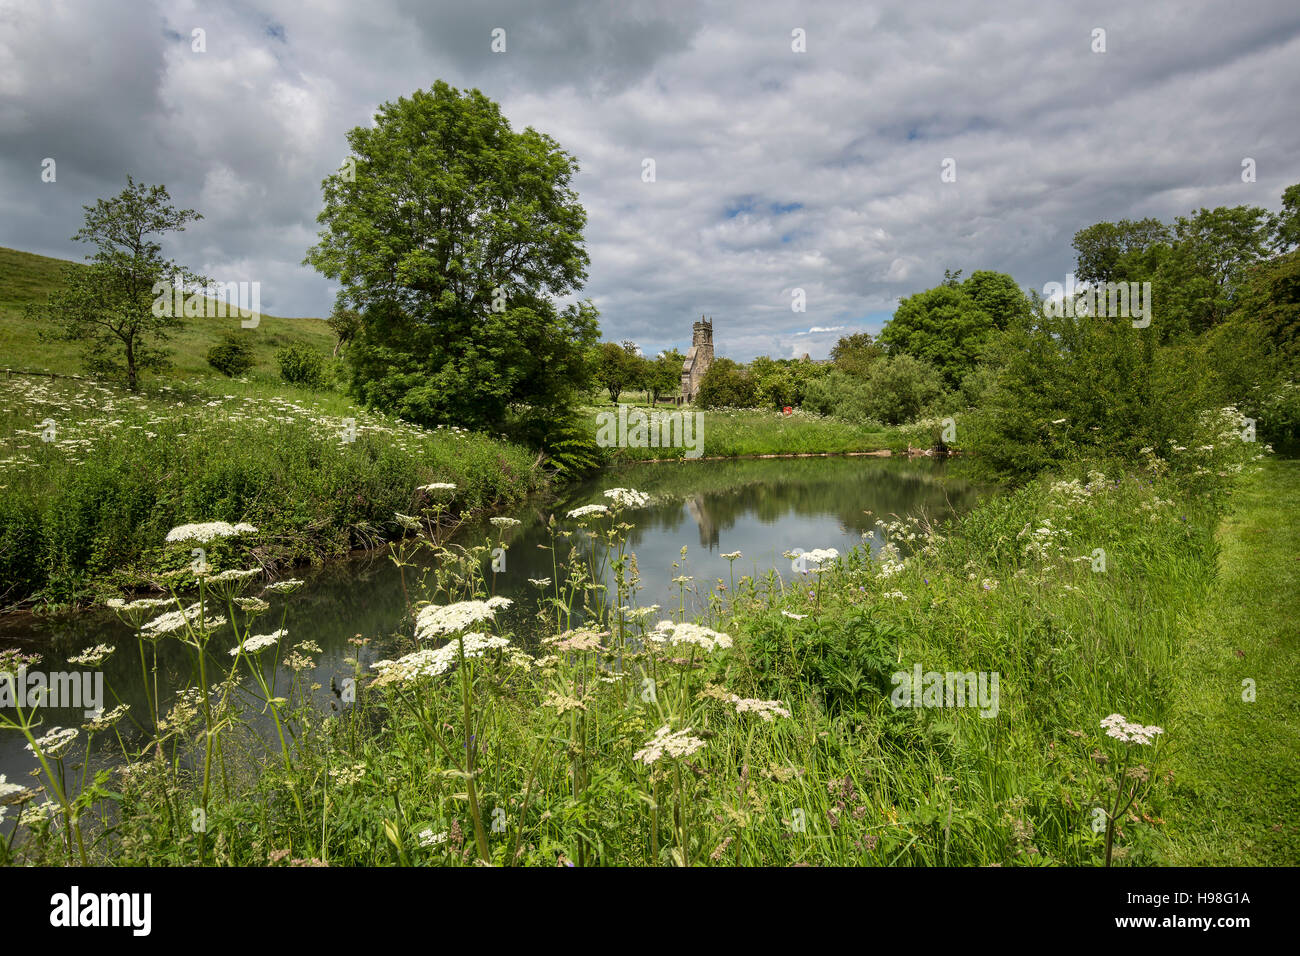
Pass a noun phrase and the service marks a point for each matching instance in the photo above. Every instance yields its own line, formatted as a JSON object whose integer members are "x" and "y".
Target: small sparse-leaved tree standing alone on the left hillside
{"x": 109, "y": 306}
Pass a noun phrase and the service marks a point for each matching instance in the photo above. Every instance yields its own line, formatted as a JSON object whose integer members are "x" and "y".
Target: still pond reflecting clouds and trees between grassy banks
{"x": 761, "y": 508}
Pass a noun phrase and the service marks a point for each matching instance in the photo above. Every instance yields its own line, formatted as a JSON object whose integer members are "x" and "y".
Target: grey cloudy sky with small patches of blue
{"x": 777, "y": 170}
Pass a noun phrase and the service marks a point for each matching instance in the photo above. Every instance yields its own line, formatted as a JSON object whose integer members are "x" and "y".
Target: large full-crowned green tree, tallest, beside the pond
{"x": 453, "y": 235}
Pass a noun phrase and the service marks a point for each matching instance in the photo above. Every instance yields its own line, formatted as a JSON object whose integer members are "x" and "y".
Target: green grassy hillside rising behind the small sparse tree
{"x": 27, "y": 279}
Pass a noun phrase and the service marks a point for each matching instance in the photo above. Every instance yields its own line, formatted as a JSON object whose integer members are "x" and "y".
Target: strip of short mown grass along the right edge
{"x": 1237, "y": 788}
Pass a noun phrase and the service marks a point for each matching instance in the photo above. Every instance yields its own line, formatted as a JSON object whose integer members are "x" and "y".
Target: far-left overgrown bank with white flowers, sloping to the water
{"x": 96, "y": 477}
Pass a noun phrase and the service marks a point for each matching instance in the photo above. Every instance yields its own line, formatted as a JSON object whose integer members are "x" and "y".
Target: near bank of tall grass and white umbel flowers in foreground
{"x": 782, "y": 726}
